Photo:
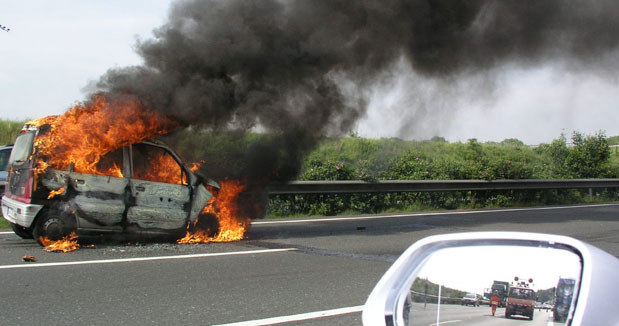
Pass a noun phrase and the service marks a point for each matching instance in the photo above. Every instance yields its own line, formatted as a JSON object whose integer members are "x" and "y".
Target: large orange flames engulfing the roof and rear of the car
{"x": 82, "y": 135}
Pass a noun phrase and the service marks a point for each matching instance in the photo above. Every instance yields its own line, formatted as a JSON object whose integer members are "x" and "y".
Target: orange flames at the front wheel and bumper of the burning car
{"x": 231, "y": 226}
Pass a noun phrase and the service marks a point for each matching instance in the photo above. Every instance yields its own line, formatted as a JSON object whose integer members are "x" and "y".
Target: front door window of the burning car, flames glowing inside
{"x": 152, "y": 163}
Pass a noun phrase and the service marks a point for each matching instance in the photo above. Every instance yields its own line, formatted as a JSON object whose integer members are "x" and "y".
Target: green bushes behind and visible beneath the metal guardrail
{"x": 353, "y": 158}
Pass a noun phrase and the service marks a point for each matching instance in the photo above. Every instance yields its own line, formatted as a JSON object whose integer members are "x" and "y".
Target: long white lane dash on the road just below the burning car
{"x": 127, "y": 260}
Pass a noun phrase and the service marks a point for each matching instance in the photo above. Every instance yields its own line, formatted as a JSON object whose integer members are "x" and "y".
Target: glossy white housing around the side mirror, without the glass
{"x": 594, "y": 304}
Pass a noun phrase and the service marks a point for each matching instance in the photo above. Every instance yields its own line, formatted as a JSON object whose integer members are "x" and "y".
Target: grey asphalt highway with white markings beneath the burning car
{"x": 315, "y": 271}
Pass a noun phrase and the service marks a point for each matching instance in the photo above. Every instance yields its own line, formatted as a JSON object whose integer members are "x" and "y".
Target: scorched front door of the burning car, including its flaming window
{"x": 159, "y": 187}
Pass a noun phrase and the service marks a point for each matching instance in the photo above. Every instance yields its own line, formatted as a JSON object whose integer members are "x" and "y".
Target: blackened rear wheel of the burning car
{"x": 53, "y": 225}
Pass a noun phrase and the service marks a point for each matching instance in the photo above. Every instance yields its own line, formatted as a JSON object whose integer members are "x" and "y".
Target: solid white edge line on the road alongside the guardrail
{"x": 355, "y": 218}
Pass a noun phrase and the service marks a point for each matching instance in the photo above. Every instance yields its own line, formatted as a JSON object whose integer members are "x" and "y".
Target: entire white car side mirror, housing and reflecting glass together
{"x": 425, "y": 284}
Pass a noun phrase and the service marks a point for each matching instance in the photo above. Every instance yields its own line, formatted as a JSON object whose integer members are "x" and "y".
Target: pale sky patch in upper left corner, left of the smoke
{"x": 56, "y": 48}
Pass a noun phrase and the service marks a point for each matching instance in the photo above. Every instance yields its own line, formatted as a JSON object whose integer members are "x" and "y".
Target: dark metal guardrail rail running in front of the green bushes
{"x": 335, "y": 187}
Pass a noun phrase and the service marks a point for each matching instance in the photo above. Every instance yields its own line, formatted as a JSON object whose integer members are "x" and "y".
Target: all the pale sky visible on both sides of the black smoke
{"x": 55, "y": 49}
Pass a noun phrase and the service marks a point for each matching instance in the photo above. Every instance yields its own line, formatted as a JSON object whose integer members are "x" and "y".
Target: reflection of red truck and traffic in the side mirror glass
{"x": 457, "y": 285}
